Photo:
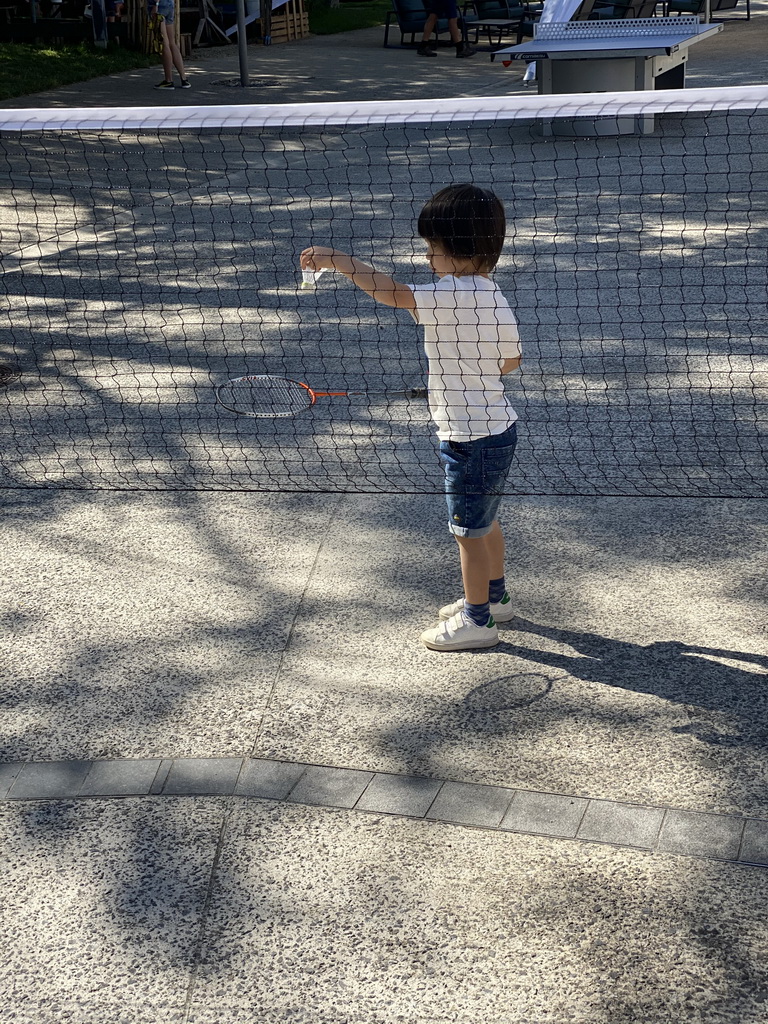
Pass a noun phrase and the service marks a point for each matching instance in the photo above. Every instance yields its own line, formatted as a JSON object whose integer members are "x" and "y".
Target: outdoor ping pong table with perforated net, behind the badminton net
{"x": 612, "y": 57}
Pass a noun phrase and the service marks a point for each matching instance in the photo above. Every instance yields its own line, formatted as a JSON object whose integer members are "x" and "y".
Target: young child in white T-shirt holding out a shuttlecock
{"x": 472, "y": 340}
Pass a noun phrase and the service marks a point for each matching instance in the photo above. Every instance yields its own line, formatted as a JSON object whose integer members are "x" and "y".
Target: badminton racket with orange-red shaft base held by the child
{"x": 267, "y": 396}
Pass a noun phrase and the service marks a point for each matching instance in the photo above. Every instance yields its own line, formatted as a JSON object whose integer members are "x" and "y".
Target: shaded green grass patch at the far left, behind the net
{"x": 26, "y": 69}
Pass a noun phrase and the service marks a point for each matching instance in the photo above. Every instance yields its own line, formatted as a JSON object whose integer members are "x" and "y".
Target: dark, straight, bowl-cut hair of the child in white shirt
{"x": 467, "y": 223}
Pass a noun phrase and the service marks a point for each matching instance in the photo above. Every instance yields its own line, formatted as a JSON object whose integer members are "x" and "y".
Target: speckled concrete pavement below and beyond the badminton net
{"x": 237, "y": 791}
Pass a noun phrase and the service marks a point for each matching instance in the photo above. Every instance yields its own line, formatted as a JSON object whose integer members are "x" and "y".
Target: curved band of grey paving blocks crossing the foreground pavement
{"x": 662, "y": 830}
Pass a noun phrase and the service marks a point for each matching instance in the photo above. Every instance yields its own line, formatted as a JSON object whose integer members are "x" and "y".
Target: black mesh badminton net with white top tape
{"x": 152, "y": 257}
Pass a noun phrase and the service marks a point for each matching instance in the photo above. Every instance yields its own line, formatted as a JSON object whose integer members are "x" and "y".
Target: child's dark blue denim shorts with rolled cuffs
{"x": 476, "y": 476}
